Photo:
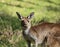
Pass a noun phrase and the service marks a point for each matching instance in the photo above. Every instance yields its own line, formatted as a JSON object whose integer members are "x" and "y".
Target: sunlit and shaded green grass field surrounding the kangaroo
{"x": 10, "y": 26}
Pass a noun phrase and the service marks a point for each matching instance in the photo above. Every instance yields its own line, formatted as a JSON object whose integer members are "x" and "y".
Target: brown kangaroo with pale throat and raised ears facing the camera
{"x": 36, "y": 33}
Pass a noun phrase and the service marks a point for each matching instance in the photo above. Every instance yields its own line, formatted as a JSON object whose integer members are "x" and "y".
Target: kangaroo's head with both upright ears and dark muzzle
{"x": 25, "y": 21}
